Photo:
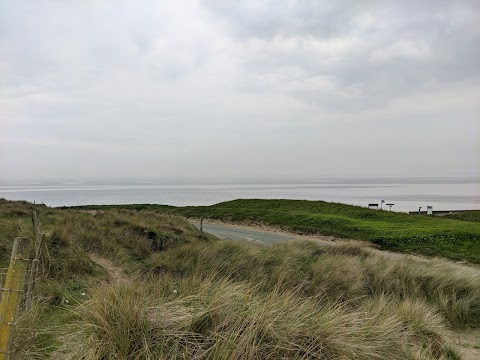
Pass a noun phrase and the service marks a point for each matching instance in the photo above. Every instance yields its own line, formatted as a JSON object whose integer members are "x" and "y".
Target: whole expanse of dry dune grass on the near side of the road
{"x": 192, "y": 297}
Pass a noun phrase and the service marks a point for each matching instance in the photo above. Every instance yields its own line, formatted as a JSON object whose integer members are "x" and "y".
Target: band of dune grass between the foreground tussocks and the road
{"x": 341, "y": 273}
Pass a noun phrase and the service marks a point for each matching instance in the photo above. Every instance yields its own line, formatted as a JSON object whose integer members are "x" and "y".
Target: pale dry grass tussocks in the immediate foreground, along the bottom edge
{"x": 210, "y": 319}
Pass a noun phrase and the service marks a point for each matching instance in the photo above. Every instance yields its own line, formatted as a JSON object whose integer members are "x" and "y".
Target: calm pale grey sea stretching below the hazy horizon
{"x": 406, "y": 193}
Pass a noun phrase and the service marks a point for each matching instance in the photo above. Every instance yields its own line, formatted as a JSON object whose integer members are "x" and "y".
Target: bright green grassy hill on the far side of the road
{"x": 442, "y": 236}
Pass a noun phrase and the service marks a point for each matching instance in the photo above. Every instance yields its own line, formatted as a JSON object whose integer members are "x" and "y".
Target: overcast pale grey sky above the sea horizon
{"x": 252, "y": 88}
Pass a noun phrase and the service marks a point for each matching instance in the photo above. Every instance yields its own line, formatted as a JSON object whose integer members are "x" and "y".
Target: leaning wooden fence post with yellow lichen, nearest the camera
{"x": 12, "y": 293}
